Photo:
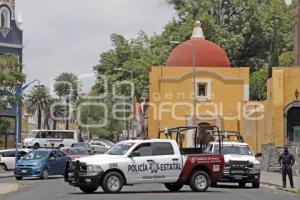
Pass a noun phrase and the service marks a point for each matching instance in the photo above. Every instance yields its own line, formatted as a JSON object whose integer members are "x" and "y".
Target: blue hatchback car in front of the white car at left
{"x": 41, "y": 163}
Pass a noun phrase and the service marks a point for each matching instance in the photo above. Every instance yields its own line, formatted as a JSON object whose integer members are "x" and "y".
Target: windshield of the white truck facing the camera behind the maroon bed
{"x": 234, "y": 149}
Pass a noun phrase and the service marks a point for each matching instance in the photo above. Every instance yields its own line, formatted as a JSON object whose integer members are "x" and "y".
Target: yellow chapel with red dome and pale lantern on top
{"x": 197, "y": 86}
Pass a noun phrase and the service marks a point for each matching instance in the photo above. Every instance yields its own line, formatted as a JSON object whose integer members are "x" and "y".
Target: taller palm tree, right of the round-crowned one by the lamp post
{"x": 66, "y": 87}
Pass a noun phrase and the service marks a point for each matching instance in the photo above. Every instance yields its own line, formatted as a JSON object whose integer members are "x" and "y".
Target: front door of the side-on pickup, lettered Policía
{"x": 138, "y": 169}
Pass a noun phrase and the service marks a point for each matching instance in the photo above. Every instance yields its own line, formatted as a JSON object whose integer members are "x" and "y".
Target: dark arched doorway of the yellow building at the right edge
{"x": 292, "y": 119}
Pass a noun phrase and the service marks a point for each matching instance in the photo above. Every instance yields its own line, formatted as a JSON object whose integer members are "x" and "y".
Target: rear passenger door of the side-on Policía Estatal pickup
{"x": 169, "y": 162}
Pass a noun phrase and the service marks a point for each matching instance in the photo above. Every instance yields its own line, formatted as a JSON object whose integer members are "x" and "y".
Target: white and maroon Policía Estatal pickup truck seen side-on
{"x": 144, "y": 161}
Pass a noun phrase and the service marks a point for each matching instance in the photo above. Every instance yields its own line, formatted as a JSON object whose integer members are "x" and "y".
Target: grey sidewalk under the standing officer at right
{"x": 275, "y": 179}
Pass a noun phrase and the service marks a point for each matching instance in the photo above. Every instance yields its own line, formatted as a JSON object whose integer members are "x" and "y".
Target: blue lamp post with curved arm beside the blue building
{"x": 19, "y": 94}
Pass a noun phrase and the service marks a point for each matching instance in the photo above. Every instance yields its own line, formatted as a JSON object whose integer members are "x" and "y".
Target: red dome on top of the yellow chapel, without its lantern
{"x": 207, "y": 54}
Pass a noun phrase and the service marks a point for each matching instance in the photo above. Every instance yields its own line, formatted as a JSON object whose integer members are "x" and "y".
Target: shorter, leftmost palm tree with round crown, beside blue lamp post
{"x": 39, "y": 101}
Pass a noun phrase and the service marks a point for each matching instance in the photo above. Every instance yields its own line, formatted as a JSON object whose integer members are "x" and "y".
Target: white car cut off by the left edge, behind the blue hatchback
{"x": 8, "y": 159}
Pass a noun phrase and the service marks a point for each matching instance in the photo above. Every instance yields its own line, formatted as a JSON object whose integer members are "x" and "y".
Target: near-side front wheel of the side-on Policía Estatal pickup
{"x": 112, "y": 182}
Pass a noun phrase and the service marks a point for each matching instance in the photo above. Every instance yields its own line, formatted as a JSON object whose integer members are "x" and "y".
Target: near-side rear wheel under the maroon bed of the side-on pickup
{"x": 199, "y": 181}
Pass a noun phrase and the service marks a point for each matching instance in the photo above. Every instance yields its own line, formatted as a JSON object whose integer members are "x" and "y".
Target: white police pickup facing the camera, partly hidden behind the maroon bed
{"x": 241, "y": 166}
